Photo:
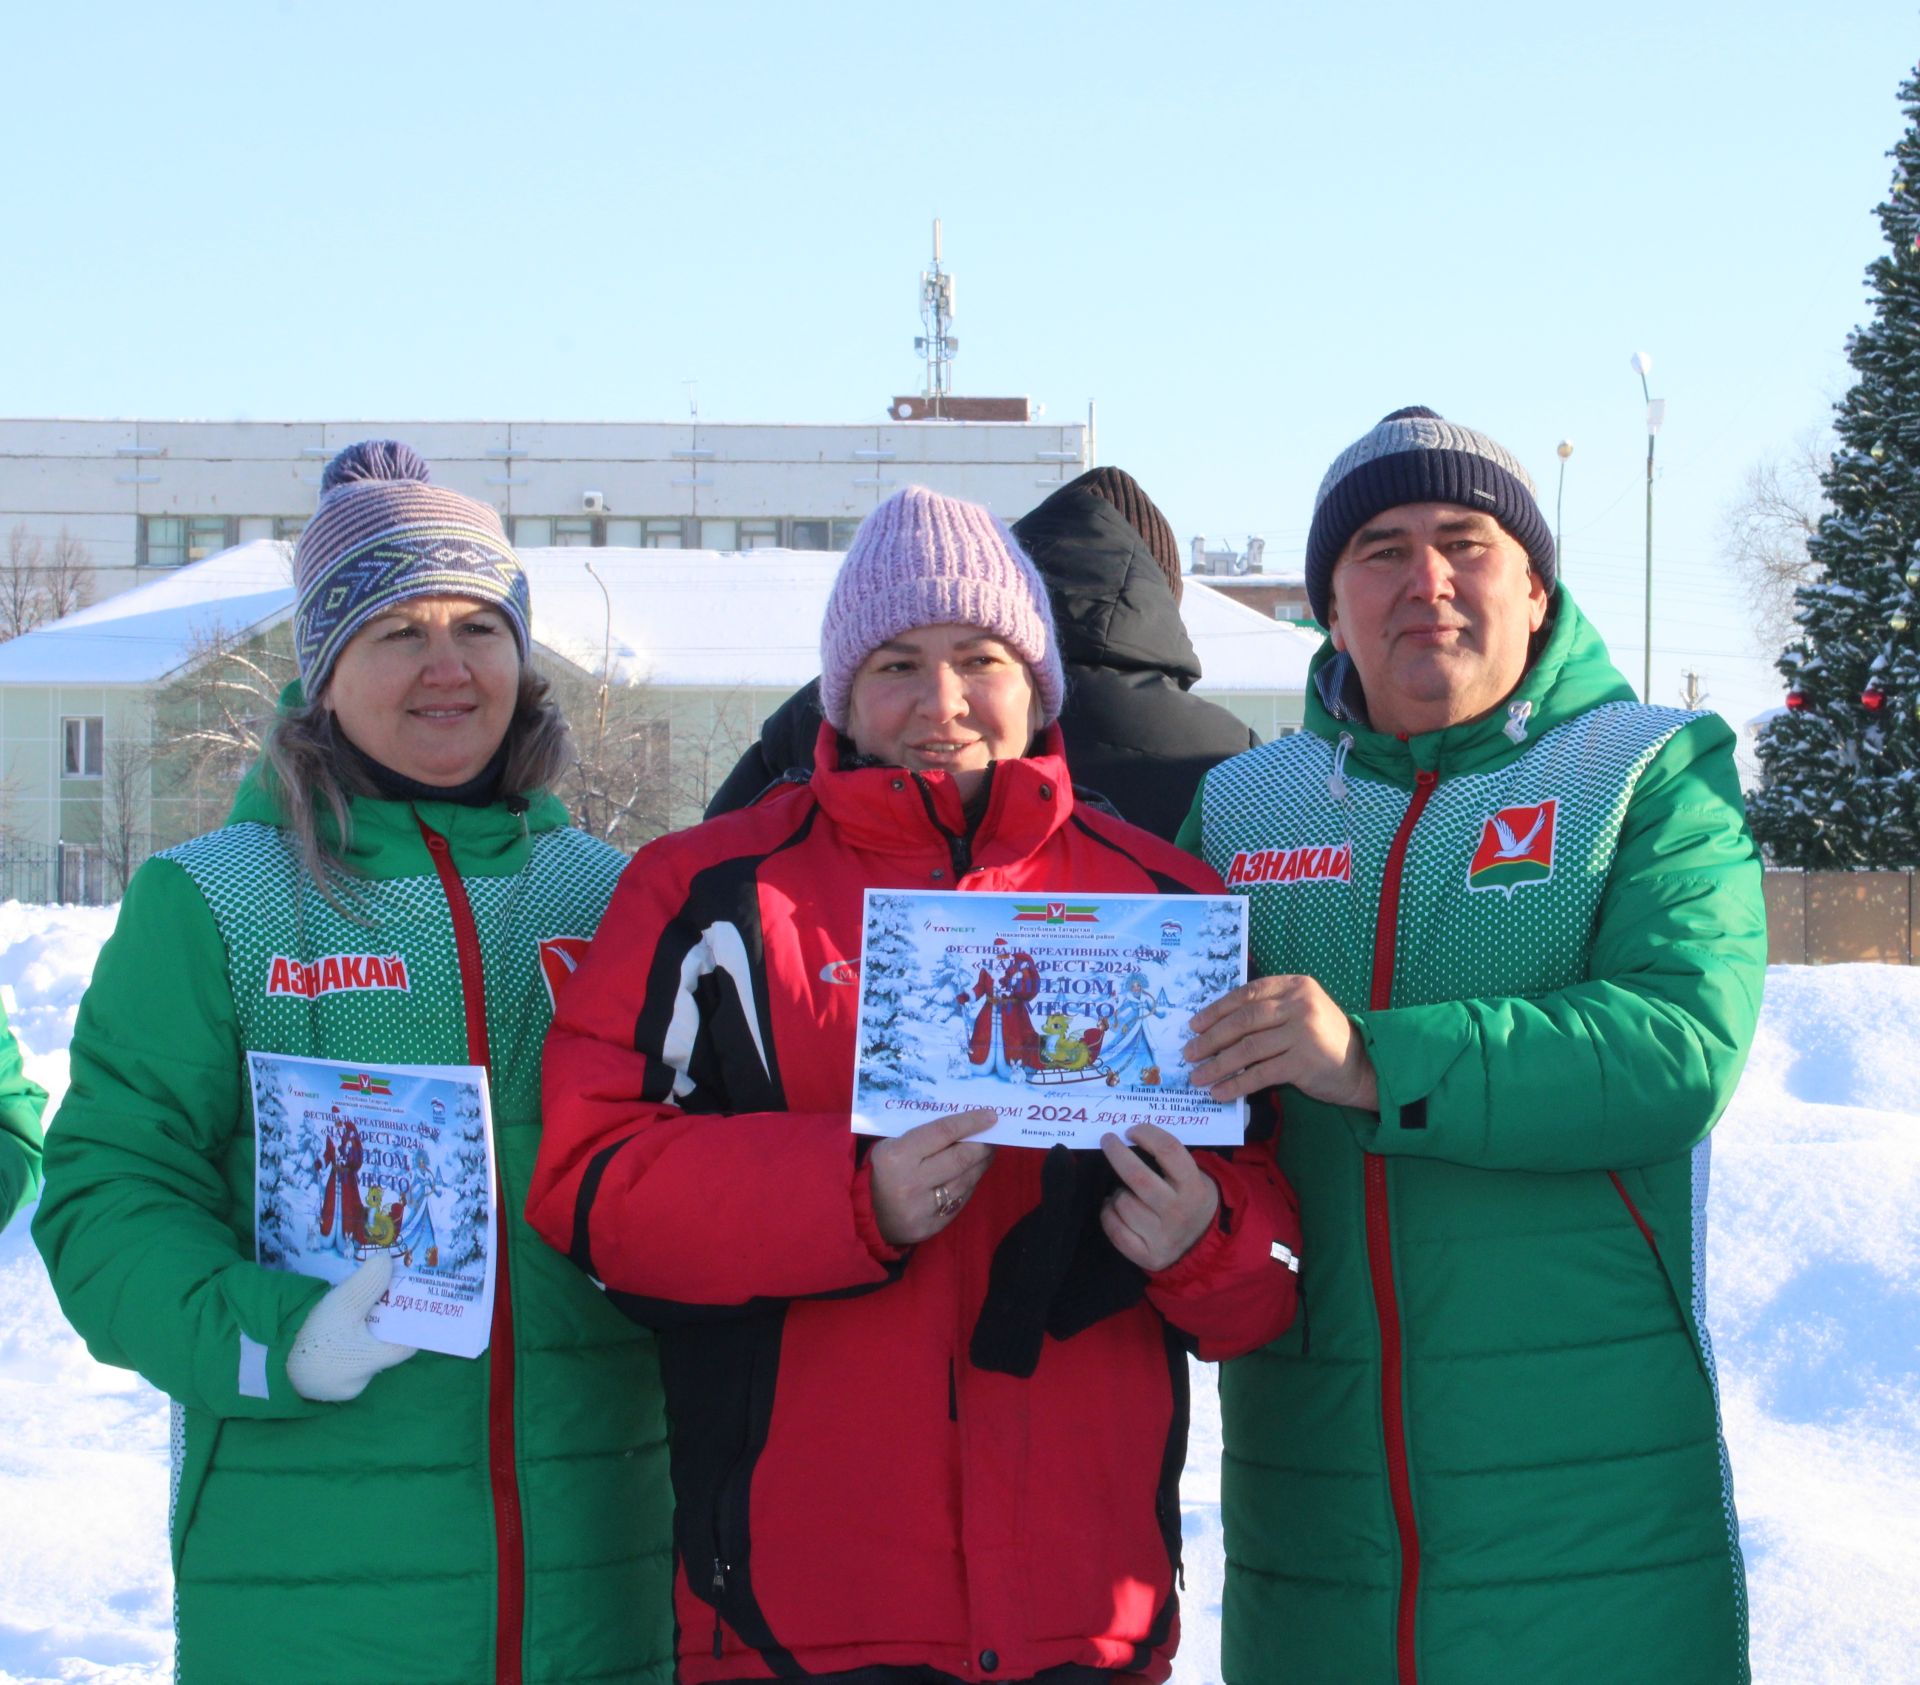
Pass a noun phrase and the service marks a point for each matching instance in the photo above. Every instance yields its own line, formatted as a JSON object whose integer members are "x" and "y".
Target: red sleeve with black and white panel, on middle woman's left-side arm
{"x": 667, "y": 1170}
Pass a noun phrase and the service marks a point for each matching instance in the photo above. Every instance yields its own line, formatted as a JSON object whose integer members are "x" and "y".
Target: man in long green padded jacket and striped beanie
{"x": 1508, "y": 949}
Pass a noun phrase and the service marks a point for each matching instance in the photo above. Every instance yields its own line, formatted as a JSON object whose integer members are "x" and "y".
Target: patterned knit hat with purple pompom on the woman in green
{"x": 385, "y": 534}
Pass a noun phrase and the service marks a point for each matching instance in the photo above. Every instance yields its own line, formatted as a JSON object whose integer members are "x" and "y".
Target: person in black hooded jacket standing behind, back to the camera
{"x": 1134, "y": 734}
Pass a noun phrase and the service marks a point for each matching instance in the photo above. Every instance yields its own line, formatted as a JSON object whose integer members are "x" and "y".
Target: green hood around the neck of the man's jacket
{"x": 1572, "y": 676}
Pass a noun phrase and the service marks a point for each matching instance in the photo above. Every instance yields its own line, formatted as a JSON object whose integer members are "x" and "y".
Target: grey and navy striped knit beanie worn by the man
{"x": 1418, "y": 458}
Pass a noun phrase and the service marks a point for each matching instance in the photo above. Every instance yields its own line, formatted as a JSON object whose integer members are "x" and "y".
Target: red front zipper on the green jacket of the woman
{"x": 510, "y": 1544}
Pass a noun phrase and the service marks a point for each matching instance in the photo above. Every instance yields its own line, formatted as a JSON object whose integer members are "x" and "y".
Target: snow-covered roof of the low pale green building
{"x": 696, "y": 619}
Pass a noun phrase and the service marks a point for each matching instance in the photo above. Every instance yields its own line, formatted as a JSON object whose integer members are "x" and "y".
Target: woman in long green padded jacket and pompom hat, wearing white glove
{"x": 396, "y": 886}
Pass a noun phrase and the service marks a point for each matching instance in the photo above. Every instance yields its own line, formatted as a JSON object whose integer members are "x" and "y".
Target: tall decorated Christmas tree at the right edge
{"x": 1844, "y": 761}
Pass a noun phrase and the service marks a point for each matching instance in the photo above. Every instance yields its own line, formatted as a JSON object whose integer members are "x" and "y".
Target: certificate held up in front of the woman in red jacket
{"x": 1067, "y": 1014}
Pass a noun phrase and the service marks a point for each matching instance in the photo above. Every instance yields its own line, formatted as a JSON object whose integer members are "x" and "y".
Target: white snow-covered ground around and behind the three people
{"x": 1815, "y": 1277}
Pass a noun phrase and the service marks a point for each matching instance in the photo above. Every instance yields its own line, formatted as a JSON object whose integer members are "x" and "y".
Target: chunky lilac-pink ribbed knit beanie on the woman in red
{"x": 923, "y": 559}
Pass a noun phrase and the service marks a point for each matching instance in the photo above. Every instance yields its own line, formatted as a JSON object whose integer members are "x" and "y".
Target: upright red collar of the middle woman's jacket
{"x": 890, "y": 811}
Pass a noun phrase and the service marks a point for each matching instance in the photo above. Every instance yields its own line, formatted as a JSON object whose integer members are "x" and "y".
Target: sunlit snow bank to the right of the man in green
{"x": 1815, "y": 1302}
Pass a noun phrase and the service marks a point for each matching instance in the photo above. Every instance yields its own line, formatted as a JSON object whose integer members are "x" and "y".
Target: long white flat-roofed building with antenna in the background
{"x": 149, "y": 496}
